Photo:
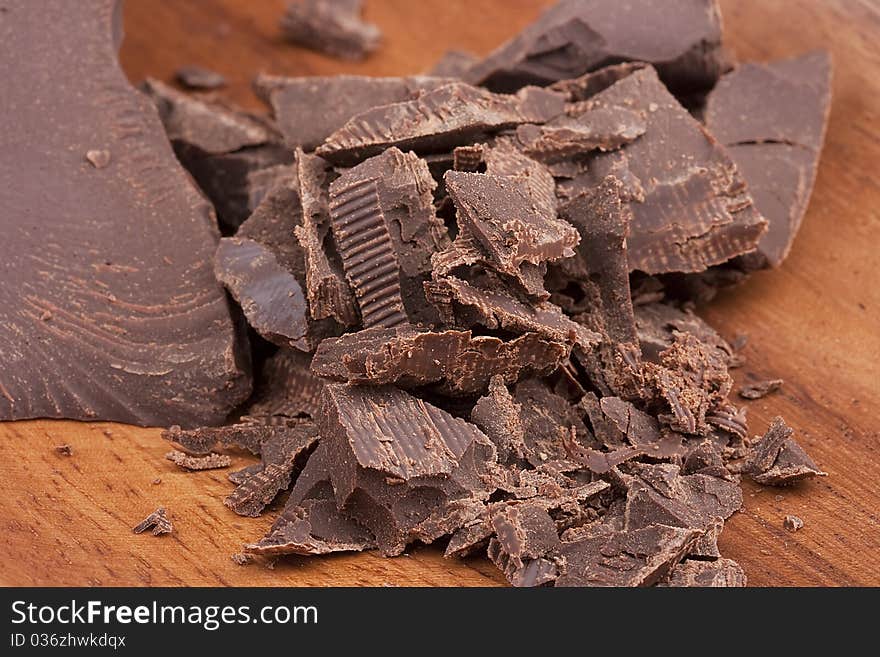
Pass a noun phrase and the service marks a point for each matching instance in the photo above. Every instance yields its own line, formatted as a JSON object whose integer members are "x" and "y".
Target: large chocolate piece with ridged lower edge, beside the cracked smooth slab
{"x": 695, "y": 211}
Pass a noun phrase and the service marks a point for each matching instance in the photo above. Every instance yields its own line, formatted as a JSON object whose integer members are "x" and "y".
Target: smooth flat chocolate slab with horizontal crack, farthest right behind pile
{"x": 773, "y": 118}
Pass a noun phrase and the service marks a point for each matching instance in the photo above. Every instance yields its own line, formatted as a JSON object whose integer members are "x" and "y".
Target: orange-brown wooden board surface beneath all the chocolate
{"x": 66, "y": 520}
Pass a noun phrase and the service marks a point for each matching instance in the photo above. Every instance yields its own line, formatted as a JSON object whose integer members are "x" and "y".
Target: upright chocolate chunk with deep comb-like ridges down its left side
{"x": 382, "y": 217}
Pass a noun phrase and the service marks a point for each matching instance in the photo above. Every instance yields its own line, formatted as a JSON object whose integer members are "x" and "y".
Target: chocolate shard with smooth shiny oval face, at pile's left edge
{"x": 263, "y": 267}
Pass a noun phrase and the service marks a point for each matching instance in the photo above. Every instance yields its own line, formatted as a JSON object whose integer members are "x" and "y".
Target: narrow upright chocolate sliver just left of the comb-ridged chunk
{"x": 328, "y": 292}
